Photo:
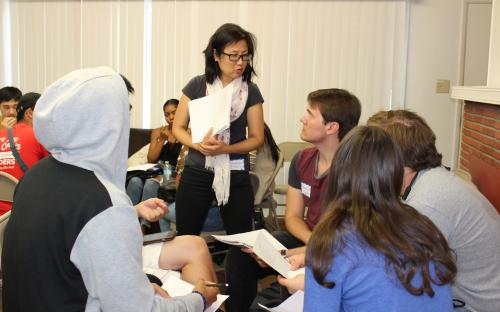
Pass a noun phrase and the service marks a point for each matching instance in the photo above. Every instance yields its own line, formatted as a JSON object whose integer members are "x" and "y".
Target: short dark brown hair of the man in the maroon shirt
{"x": 337, "y": 105}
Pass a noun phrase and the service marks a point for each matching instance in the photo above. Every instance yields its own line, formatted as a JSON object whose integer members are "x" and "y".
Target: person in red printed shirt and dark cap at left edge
{"x": 30, "y": 150}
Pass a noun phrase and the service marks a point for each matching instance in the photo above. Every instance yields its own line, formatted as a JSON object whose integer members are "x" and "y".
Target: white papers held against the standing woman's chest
{"x": 211, "y": 111}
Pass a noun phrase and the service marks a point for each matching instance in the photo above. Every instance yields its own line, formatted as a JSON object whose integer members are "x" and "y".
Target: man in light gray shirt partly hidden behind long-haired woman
{"x": 464, "y": 216}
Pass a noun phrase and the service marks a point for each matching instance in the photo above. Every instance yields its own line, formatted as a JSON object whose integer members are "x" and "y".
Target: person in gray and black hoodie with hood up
{"x": 73, "y": 242}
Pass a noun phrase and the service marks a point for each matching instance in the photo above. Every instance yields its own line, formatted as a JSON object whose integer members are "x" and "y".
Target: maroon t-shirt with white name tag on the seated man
{"x": 303, "y": 176}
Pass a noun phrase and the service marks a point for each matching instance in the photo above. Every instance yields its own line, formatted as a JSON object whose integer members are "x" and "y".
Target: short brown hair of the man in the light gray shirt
{"x": 415, "y": 138}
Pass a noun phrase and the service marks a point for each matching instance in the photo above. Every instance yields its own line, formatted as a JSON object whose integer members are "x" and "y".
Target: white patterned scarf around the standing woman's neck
{"x": 220, "y": 164}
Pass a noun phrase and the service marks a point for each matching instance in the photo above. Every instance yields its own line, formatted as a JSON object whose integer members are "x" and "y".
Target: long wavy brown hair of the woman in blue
{"x": 365, "y": 181}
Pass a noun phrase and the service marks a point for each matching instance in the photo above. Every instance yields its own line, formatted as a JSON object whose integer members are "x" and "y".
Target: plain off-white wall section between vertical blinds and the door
{"x": 433, "y": 54}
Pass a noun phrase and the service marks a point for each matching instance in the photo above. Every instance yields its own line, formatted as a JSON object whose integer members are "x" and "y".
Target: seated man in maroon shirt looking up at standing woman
{"x": 330, "y": 115}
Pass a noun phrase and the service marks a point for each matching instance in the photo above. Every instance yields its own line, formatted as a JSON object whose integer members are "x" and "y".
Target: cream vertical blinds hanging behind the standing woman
{"x": 301, "y": 46}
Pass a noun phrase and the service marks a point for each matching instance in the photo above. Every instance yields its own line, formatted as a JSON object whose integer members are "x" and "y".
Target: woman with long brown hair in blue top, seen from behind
{"x": 370, "y": 251}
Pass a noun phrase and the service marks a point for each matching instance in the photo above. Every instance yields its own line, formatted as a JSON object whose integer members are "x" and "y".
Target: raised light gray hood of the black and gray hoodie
{"x": 82, "y": 119}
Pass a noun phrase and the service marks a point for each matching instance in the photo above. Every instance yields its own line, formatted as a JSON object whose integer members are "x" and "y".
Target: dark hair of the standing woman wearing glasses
{"x": 224, "y": 35}
